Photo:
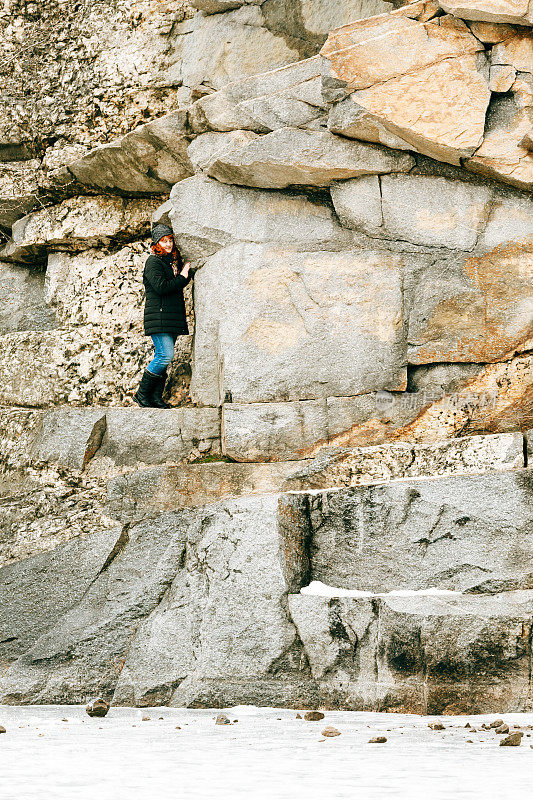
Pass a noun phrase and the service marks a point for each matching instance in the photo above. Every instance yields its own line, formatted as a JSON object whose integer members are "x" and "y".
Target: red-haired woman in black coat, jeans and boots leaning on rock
{"x": 164, "y": 277}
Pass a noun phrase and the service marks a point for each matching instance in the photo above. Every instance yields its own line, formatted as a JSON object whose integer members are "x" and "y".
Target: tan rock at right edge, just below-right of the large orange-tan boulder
{"x": 503, "y": 155}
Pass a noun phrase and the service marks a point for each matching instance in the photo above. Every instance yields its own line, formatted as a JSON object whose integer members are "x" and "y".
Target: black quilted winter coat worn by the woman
{"x": 164, "y": 307}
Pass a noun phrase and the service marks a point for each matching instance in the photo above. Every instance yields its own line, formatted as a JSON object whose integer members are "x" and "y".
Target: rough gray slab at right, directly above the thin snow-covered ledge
{"x": 465, "y": 533}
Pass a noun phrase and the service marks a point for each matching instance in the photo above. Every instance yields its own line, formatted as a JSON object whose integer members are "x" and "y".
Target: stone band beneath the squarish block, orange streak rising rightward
{"x": 479, "y": 399}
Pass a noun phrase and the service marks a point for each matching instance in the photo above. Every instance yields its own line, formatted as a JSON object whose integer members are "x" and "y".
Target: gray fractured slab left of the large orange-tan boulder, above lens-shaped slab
{"x": 288, "y": 96}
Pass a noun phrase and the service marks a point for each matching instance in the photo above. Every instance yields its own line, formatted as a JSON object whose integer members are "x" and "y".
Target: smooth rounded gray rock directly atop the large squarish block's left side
{"x": 206, "y": 215}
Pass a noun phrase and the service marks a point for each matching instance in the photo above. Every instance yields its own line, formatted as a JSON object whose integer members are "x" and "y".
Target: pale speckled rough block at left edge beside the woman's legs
{"x": 81, "y": 366}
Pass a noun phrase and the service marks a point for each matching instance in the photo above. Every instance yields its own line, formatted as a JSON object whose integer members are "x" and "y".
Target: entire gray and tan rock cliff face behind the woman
{"x": 352, "y": 182}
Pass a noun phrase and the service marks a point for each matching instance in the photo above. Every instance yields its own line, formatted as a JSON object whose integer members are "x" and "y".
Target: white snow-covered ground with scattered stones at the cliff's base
{"x": 57, "y": 752}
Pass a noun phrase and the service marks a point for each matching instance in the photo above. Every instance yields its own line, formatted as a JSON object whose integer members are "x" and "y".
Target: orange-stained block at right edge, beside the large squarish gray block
{"x": 477, "y": 309}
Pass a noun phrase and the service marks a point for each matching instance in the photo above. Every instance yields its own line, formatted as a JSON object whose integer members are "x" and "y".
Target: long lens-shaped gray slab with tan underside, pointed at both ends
{"x": 292, "y": 156}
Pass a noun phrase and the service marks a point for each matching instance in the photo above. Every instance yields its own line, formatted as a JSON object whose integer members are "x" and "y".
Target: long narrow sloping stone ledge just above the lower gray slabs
{"x": 159, "y": 489}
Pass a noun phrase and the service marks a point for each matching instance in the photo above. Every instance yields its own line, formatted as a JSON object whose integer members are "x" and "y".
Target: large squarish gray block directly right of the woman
{"x": 268, "y": 320}
